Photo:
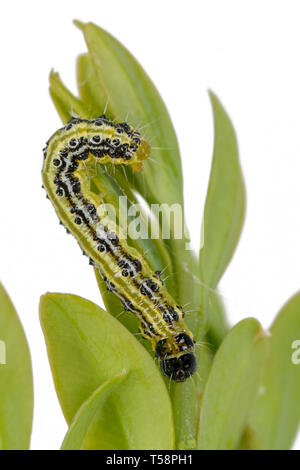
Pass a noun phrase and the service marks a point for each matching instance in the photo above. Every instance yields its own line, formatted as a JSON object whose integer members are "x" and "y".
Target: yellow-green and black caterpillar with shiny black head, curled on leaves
{"x": 69, "y": 156}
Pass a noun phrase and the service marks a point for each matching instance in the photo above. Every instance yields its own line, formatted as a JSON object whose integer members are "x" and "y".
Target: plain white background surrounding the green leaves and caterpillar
{"x": 247, "y": 53}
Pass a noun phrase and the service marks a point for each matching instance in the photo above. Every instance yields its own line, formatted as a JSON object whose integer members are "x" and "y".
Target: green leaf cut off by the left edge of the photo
{"x": 16, "y": 386}
